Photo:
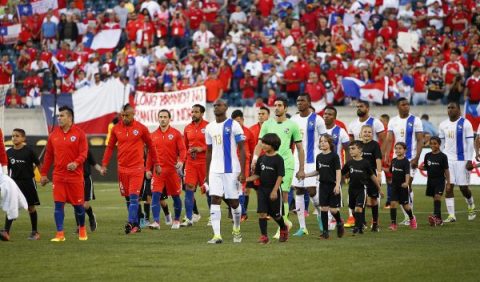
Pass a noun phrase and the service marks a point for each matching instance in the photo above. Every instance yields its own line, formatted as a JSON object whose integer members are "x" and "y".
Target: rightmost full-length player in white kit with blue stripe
{"x": 457, "y": 143}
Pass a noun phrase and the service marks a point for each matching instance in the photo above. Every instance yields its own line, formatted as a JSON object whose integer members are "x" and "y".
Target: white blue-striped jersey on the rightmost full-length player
{"x": 457, "y": 139}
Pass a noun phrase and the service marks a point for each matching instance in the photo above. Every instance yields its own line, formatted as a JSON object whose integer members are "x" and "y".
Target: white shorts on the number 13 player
{"x": 224, "y": 185}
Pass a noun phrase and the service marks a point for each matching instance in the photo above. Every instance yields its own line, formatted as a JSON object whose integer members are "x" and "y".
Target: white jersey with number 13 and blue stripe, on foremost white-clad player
{"x": 223, "y": 137}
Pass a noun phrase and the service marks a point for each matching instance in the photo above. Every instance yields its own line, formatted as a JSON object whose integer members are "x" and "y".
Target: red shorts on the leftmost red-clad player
{"x": 68, "y": 191}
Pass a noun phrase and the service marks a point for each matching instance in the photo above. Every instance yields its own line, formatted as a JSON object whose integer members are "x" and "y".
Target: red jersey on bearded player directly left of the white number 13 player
{"x": 194, "y": 135}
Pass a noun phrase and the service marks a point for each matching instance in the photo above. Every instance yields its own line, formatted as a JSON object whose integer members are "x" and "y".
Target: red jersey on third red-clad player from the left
{"x": 169, "y": 146}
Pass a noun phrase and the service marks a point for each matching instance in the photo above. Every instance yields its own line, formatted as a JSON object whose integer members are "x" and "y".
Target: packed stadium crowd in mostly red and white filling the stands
{"x": 249, "y": 52}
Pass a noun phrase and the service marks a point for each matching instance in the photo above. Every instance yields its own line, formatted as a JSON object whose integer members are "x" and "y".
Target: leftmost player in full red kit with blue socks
{"x": 67, "y": 149}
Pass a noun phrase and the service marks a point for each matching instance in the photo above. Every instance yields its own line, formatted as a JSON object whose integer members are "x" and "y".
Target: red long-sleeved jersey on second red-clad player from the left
{"x": 131, "y": 142}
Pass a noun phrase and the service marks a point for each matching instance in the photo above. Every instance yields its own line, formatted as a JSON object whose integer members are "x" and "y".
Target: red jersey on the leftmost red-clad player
{"x": 62, "y": 149}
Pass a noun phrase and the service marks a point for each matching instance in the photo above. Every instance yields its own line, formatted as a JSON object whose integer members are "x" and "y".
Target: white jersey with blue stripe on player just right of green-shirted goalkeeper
{"x": 311, "y": 127}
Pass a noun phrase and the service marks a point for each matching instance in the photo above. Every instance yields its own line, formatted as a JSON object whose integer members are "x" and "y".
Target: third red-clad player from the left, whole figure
{"x": 171, "y": 152}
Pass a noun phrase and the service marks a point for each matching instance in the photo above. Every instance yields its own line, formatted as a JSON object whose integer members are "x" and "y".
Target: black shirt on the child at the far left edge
{"x": 20, "y": 163}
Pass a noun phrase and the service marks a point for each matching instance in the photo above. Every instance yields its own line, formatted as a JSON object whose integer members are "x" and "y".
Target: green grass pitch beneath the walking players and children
{"x": 442, "y": 254}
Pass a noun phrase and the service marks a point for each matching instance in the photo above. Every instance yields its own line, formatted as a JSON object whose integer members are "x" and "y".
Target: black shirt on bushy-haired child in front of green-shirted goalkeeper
{"x": 269, "y": 168}
